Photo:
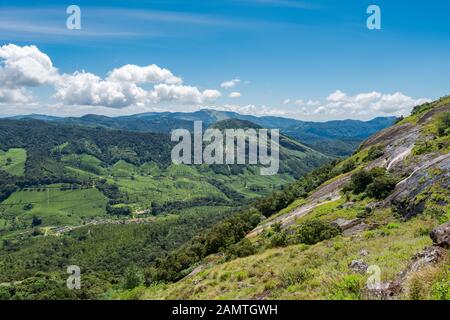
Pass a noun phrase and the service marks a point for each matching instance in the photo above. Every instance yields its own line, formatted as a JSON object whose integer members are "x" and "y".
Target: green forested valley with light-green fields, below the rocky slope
{"x": 109, "y": 200}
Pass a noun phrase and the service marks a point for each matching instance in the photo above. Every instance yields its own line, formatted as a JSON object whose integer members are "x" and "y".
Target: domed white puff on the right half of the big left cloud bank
{"x": 148, "y": 74}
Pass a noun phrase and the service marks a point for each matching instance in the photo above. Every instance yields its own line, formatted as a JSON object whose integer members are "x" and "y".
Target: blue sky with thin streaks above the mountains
{"x": 304, "y": 59}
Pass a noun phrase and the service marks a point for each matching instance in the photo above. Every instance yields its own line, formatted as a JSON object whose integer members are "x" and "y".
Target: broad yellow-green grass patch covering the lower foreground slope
{"x": 299, "y": 272}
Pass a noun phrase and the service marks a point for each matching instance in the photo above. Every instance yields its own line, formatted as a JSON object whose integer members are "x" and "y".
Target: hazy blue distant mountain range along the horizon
{"x": 333, "y": 138}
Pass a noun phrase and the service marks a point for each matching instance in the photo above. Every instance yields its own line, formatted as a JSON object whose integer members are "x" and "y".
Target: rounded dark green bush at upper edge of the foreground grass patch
{"x": 314, "y": 231}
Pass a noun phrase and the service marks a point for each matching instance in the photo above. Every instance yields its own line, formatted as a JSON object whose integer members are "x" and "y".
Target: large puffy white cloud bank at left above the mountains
{"x": 27, "y": 66}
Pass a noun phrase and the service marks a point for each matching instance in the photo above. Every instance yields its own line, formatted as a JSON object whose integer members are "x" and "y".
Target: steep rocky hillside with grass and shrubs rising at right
{"x": 376, "y": 227}
